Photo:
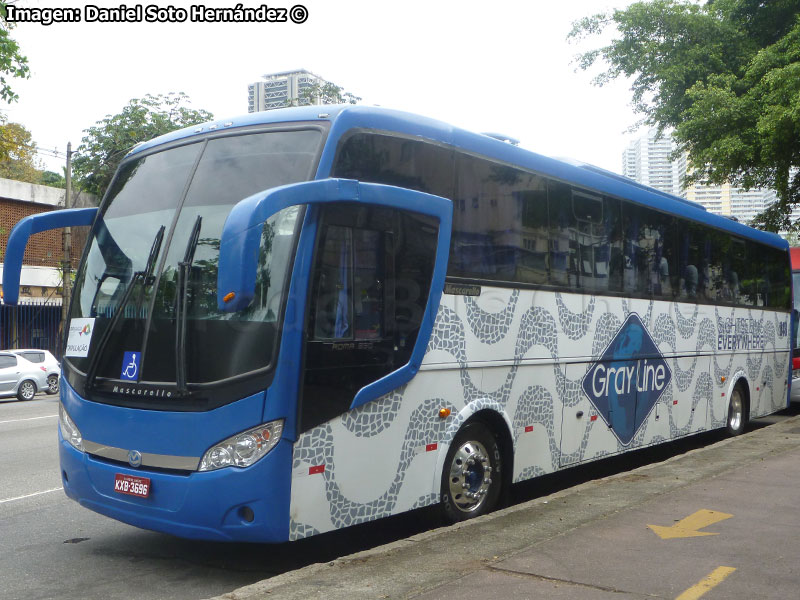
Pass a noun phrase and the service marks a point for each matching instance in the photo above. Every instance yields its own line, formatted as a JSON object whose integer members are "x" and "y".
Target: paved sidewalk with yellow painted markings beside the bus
{"x": 728, "y": 515}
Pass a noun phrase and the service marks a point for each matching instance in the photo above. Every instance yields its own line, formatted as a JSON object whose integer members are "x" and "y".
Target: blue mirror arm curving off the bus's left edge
{"x": 15, "y": 250}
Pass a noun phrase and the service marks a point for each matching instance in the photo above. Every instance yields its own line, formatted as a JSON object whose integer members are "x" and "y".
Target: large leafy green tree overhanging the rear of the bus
{"x": 725, "y": 75}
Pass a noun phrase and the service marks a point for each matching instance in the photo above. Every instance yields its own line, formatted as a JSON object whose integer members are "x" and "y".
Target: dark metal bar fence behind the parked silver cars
{"x": 35, "y": 324}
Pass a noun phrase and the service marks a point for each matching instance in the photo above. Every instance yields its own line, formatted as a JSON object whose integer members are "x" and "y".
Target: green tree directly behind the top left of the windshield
{"x": 107, "y": 143}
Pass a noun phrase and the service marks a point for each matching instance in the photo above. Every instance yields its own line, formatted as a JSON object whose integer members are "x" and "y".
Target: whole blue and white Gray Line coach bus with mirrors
{"x": 303, "y": 319}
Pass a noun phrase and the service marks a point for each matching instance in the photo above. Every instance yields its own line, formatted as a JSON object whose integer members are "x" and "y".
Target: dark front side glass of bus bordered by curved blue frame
{"x": 369, "y": 289}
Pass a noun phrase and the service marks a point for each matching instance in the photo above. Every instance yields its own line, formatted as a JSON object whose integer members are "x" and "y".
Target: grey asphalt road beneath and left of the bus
{"x": 50, "y": 547}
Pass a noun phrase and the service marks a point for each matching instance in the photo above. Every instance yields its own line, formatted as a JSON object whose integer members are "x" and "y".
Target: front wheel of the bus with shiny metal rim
{"x": 472, "y": 474}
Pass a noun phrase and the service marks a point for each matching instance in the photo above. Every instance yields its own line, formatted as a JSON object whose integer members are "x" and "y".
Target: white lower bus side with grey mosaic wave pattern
{"x": 526, "y": 355}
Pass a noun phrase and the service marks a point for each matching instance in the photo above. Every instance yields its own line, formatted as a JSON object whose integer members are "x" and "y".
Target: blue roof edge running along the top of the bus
{"x": 346, "y": 117}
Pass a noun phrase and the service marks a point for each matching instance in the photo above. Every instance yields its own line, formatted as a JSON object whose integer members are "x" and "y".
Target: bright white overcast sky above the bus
{"x": 504, "y": 67}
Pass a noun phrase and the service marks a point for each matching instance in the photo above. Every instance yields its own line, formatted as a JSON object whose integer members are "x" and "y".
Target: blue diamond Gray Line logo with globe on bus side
{"x": 627, "y": 381}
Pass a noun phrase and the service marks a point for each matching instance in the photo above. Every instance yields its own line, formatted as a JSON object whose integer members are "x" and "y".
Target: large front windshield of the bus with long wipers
{"x": 162, "y": 208}
